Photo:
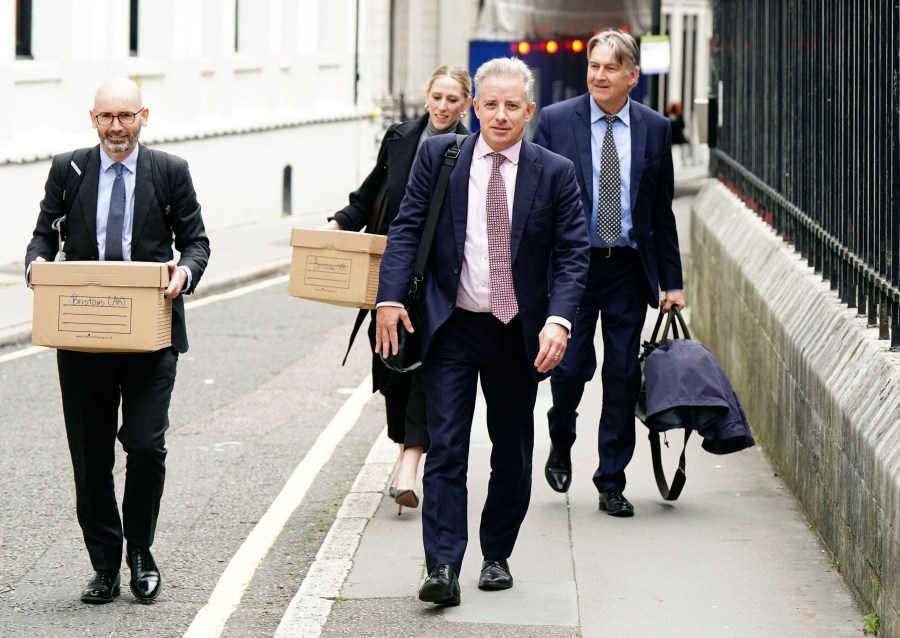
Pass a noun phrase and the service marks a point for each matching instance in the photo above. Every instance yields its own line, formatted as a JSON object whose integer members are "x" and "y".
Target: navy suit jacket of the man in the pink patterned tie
{"x": 547, "y": 230}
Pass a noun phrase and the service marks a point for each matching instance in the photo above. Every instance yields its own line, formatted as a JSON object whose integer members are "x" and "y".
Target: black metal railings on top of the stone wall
{"x": 809, "y": 136}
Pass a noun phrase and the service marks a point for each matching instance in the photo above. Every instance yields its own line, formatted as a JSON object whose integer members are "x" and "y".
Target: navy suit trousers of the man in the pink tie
{"x": 470, "y": 346}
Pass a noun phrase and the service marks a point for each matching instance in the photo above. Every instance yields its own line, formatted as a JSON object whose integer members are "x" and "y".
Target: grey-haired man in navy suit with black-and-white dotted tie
{"x": 627, "y": 183}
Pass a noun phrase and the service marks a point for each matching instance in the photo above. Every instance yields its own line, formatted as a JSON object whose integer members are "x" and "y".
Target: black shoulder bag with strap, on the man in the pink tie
{"x": 409, "y": 345}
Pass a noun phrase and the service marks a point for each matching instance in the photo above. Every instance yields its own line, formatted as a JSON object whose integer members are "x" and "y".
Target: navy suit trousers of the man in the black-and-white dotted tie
{"x": 616, "y": 291}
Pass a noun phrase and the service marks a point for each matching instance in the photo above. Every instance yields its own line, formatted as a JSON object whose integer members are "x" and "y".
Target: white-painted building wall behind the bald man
{"x": 285, "y": 95}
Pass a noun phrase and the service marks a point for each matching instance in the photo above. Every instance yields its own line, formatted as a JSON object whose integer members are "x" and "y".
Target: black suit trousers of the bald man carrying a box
{"x": 93, "y": 384}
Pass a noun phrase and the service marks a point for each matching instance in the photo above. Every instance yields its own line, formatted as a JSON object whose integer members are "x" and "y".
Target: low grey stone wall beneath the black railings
{"x": 819, "y": 388}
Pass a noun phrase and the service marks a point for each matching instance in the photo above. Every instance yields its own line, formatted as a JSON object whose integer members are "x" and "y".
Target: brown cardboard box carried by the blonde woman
{"x": 335, "y": 266}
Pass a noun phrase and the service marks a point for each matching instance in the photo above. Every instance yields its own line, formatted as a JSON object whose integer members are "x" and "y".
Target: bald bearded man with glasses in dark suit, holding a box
{"x": 117, "y": 215}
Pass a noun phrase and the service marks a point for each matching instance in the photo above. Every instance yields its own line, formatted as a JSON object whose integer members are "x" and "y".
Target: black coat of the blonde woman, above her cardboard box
{"x": 395, "y": 158}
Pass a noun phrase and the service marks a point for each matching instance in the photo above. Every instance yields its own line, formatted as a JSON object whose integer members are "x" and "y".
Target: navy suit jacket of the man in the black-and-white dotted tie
{"x": 565, "y": 128}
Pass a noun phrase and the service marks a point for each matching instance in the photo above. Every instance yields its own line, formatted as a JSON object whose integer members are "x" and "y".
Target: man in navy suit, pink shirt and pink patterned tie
{"x": 502, "y": 284}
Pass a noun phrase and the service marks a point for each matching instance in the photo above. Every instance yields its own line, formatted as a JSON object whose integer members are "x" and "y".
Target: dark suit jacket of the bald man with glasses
{"x": 150, "y": 240}
